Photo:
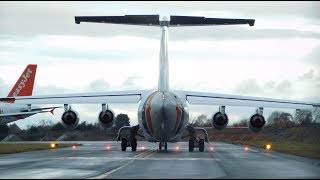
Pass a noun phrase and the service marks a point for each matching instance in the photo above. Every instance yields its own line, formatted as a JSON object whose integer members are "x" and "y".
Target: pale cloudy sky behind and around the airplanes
{"x": 278, "y": 57}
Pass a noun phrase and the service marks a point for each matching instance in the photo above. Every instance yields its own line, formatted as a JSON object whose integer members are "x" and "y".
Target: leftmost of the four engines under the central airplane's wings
{"x": 70, "y": 119}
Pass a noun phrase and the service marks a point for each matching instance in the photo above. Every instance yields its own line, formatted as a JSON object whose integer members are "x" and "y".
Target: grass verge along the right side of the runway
{"x": 295, "y": 148}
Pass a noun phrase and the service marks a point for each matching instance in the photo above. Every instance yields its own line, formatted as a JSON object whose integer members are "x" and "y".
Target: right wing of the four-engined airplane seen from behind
{"x": 203, "y": 98}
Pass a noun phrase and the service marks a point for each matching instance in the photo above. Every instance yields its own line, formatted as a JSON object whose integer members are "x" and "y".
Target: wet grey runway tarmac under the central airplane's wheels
{"x": 93, "y": 160}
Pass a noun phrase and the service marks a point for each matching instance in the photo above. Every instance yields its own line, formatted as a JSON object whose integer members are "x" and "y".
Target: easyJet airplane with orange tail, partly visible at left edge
{"x": 10, "y": 112}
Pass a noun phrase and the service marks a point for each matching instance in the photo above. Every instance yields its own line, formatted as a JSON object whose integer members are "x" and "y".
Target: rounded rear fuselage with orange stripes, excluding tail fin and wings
{"x": 163, "y": 117}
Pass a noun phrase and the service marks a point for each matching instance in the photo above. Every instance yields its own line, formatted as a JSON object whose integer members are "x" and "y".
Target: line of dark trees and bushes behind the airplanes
{"x": 277, "y": 119}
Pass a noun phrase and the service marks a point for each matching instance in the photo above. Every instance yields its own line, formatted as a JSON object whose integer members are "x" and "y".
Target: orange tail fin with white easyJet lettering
{"x": 24, "y": 85}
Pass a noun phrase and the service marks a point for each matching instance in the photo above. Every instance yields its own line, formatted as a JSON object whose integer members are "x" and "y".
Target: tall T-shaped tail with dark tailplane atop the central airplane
{"x": 153, "y": 20}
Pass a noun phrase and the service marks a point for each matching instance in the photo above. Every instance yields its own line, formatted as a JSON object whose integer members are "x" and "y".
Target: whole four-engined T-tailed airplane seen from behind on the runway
{"x": 163, "y": 113}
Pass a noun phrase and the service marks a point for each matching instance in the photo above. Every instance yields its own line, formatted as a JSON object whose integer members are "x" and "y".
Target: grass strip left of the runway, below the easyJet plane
{"x": 9, "y": 148}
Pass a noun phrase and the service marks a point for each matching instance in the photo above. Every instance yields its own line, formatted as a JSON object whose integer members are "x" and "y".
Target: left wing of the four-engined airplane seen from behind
{"x": 81, "y": 98}
